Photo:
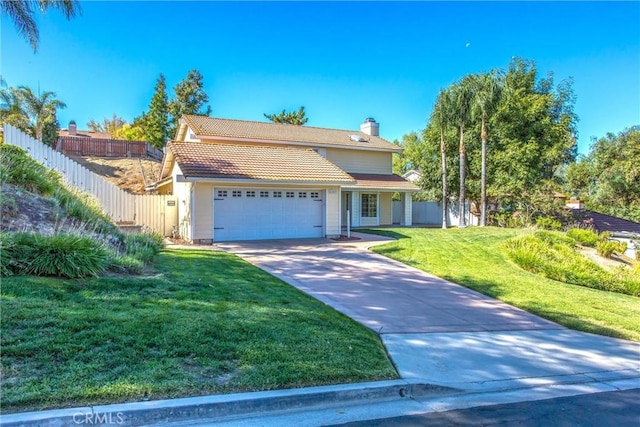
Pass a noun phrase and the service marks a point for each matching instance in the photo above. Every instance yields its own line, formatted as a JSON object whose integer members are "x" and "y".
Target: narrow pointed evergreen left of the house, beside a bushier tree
{"x": 155, "y": 122}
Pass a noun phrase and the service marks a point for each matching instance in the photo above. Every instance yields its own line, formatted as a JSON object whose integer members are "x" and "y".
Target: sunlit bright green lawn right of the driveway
{"x": 472, "y": 257}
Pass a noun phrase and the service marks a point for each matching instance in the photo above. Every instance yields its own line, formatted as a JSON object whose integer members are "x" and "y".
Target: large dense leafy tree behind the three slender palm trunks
{"x": 532, "y": 138}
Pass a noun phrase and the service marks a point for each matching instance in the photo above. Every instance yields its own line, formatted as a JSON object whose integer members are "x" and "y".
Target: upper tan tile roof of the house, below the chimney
{"x": 274, "y": 132}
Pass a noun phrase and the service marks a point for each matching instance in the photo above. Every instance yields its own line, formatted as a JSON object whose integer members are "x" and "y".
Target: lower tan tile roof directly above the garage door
{"x": 221, "y": 161}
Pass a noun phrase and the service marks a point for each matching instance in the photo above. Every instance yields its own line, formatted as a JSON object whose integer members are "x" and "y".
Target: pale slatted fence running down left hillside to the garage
{"x": 159, "y": 213}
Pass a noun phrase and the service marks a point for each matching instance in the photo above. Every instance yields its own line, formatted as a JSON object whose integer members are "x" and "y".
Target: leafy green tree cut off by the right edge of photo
{"x": 608, "y": 178}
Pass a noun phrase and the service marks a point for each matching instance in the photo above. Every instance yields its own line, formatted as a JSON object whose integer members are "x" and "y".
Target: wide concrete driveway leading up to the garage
{"x": 440, "y": 332}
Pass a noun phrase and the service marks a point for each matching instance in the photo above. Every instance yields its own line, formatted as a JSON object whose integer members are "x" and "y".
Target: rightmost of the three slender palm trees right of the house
{"x": 486, "y": 93}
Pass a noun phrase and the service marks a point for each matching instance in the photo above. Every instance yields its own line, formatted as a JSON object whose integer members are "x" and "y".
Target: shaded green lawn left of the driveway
{"x": 203, "y": 322}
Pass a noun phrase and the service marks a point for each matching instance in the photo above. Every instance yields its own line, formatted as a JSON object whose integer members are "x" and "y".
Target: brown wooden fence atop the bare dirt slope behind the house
{"x": 99, "y": 147}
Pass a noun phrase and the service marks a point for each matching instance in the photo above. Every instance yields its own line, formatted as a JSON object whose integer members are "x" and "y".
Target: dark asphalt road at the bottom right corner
{"x": 618, "y": 408}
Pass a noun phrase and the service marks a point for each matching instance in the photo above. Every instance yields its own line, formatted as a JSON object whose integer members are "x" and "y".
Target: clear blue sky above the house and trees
{"x": 344, "y": 61}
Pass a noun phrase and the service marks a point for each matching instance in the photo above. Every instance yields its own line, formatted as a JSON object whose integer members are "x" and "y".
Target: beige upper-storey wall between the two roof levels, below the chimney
{"x": 360, "y": 161}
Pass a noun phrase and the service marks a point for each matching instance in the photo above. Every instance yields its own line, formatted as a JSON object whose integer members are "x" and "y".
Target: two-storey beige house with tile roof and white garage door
{"x": 245, "y": 180}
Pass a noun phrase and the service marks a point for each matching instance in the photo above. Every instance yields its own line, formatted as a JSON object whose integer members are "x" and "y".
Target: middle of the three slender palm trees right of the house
{"x": 461, "y": 106}
